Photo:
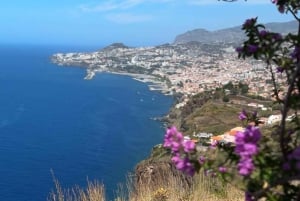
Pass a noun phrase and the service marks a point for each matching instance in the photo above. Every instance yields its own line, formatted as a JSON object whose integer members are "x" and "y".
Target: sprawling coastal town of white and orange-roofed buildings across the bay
{"x": 187, "y": 68}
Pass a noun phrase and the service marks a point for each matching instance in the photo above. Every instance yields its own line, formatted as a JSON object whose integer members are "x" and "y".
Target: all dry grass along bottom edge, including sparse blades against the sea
{"x": 166, "y": 188}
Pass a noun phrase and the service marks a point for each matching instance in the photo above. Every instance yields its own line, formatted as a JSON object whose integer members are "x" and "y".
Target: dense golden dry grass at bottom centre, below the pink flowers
{"x": 174, "y": 189}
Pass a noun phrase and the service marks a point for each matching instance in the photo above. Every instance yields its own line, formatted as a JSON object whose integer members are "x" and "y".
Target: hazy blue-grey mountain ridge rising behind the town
{"x": 230, "y": 35}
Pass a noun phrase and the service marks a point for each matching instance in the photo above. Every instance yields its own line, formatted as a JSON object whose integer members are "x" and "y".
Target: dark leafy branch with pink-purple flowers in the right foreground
{"x": 266, "y": 168}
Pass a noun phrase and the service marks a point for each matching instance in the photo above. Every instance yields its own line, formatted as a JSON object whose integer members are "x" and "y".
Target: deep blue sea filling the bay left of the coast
{"x": 51, "y": 118}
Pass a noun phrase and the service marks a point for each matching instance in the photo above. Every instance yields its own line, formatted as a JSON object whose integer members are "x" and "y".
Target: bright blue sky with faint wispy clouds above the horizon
{"x": 132, "y": 22}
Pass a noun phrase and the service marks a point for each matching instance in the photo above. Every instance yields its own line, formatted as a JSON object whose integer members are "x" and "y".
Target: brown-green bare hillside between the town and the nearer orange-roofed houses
{"x": 208, "y": 112}
